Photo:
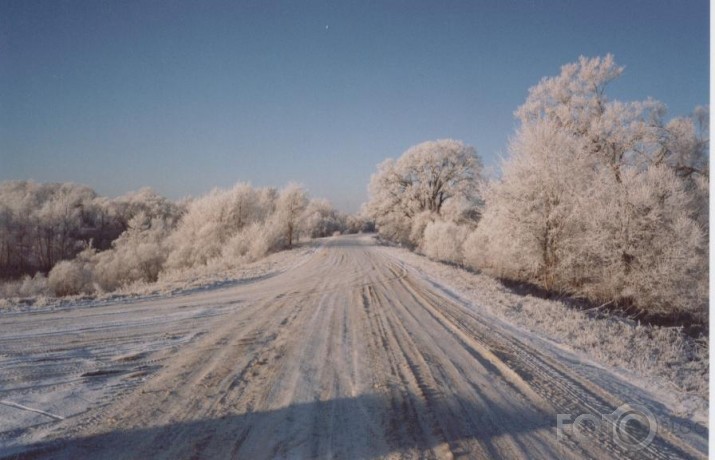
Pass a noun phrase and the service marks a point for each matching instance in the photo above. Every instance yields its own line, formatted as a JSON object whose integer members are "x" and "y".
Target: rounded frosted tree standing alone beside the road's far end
{"x": 422, "y": 181}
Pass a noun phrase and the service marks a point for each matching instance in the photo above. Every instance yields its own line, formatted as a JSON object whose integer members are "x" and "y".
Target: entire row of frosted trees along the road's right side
{"x": 597, "y": 198}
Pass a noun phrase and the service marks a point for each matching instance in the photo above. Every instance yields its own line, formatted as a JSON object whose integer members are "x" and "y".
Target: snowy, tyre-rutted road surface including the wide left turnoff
{"x": 347, "y": 353}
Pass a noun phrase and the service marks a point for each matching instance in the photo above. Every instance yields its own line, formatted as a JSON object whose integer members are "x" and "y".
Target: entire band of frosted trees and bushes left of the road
{"x": 64, "y": 239}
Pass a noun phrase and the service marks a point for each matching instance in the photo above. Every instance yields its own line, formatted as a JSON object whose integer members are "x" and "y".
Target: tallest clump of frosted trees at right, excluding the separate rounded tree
{"x": 599, "y": 197}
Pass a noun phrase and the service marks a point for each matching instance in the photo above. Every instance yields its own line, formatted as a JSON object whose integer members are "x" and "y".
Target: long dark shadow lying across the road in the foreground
{"x": 320, "y": 429}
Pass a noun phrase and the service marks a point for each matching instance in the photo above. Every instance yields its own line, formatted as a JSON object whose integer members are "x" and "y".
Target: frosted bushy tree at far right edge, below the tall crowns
{"x": 643, "y": 245}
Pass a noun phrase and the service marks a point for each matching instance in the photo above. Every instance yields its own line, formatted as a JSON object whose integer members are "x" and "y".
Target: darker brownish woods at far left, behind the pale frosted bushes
{"x": 42, "y": 224}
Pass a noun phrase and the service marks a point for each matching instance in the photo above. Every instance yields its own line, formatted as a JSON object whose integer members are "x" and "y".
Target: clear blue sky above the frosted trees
{"x": 184, "y": 96}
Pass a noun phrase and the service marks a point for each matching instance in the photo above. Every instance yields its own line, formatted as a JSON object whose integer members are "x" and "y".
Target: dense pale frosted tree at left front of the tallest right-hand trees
{"x": 530, "y": 226}
